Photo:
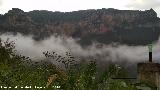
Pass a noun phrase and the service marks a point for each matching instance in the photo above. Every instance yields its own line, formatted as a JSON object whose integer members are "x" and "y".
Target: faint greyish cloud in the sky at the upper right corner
{"x": 143, "y": 4}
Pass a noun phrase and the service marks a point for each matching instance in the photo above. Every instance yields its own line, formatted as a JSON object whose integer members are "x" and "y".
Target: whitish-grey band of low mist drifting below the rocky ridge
{"x": 61, "y": 45}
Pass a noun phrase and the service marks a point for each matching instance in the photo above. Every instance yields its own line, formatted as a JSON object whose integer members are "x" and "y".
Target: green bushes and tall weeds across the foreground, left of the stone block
{"x": 19, "y": 72}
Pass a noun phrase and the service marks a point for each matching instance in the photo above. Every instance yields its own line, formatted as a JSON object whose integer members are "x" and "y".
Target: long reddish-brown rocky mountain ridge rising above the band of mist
{"x": 132, "y": 27}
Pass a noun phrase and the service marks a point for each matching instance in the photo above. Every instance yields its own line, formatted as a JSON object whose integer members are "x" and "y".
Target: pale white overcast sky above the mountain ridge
{"x": 74, "y": 5}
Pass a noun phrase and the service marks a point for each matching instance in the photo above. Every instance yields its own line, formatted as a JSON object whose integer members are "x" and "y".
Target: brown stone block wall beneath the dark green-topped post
{"x": 149, "y": 72}
